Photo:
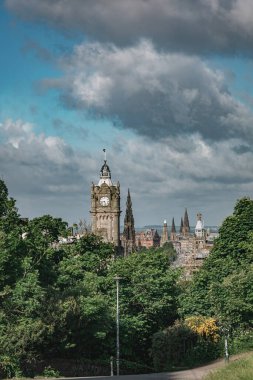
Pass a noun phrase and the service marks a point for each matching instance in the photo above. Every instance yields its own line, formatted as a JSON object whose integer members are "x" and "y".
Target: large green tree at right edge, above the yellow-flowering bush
{"x": 223, "y": 286}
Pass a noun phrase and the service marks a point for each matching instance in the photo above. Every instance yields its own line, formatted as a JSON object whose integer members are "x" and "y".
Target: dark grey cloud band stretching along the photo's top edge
{"x": 192, "y": 26}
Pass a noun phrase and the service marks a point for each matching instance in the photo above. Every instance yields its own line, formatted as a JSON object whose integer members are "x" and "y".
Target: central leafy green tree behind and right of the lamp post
{"x": 148, "y": 299}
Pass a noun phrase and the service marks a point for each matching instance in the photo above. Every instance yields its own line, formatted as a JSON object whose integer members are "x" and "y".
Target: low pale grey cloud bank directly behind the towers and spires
{"x": 46, "y": 176}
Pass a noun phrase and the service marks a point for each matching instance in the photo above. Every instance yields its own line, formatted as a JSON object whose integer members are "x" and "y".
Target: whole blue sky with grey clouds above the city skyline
{"x": 165, "y": 86}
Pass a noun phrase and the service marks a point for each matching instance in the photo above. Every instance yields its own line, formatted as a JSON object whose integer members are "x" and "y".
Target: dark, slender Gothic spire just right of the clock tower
{"x": 128, "y": 239}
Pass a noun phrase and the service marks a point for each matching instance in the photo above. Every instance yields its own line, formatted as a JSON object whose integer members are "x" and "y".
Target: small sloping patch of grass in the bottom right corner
{"x": 241, "y": 369}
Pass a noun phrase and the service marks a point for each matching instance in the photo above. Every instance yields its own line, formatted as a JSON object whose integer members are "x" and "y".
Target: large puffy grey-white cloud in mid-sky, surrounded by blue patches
{"x": 155, "y": 94}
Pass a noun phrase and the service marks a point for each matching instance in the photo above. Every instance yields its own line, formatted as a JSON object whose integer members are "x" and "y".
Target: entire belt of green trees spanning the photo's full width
{"x": 59, "y": 300}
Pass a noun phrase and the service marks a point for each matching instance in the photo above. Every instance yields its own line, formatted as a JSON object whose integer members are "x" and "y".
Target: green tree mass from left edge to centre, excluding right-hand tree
{"x": 59, "y": 300}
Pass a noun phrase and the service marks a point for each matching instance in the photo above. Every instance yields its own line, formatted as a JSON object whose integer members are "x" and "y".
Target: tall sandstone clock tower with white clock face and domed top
{"x": 105, "y": 207}
